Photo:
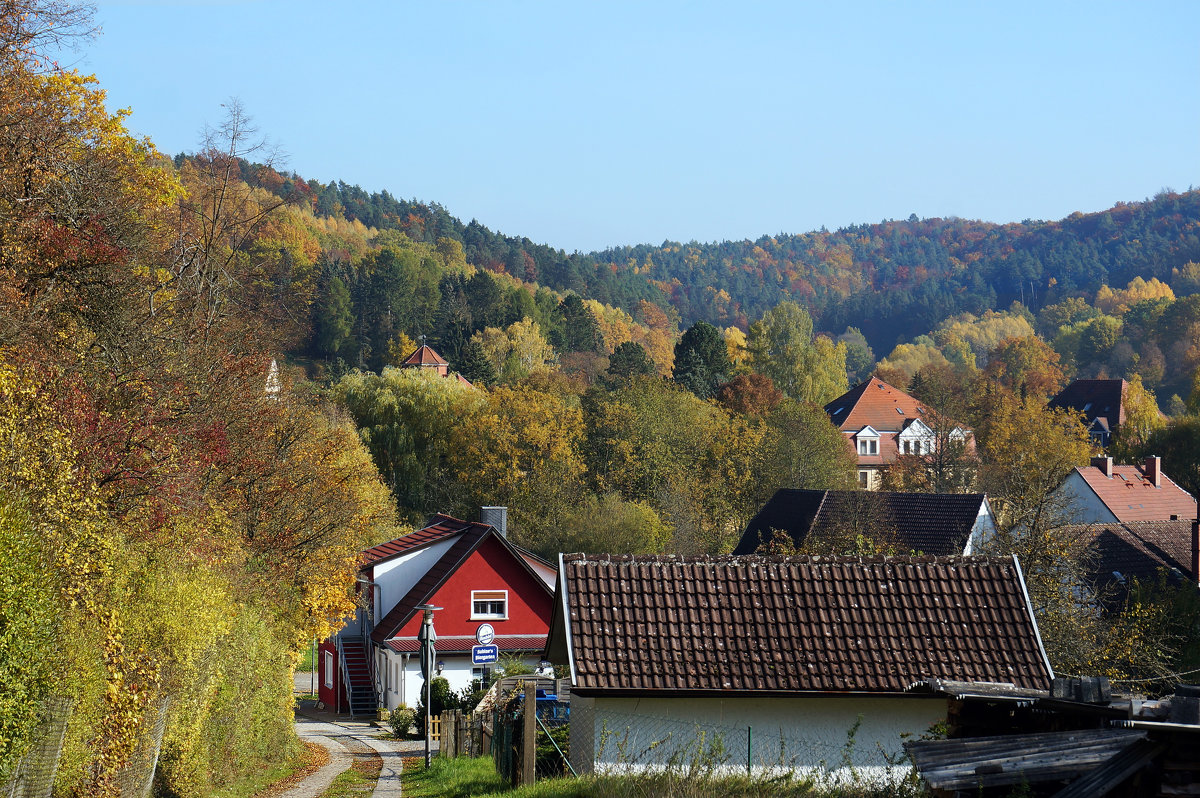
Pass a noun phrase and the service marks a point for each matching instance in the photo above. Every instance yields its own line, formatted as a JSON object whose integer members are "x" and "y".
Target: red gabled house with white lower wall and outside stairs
{"x": 467, "y": 568}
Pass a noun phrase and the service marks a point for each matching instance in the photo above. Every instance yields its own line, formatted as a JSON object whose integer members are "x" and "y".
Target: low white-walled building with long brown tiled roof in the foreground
{"x": 775, "y": 663}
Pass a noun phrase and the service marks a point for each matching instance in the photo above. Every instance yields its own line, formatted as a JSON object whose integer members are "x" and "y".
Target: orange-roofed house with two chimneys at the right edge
{"x": 1107, "y": 494}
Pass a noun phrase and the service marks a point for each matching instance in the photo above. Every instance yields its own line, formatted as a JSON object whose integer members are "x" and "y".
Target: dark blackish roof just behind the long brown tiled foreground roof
{"x": 929, "y": 524}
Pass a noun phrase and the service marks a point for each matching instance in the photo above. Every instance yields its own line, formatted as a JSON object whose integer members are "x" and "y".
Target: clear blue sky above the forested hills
{"x": 589, "y": 125}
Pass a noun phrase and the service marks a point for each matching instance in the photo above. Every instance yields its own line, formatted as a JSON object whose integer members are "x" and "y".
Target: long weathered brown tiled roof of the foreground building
{"x": 793, "y": 625}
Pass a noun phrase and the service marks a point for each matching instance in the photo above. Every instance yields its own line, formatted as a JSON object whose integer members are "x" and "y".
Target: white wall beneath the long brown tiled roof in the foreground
{"x": 812, "y": 736}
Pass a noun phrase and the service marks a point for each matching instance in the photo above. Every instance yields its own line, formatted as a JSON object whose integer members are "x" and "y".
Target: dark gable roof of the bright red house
{"x": 470, "y": 537}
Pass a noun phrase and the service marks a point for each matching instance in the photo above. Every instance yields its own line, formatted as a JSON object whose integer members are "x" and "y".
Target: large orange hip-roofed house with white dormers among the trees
{"x": 883, "y": 423}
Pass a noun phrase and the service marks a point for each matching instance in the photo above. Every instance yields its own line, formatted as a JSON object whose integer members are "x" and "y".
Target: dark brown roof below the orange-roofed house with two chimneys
{"x": 1138, "y": 549}
